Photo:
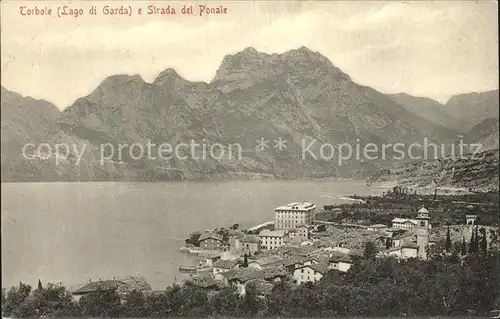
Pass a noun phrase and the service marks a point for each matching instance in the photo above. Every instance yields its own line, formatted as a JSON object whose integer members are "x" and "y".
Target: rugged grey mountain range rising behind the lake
{"x": 298, "y": 96}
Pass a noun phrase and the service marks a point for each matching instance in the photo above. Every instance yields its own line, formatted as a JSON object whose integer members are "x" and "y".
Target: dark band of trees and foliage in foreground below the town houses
{"x": 373, "y": 287}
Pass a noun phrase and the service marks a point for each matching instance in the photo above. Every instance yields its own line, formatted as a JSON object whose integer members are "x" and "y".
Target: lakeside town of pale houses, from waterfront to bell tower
{"x": 303, "y": 249}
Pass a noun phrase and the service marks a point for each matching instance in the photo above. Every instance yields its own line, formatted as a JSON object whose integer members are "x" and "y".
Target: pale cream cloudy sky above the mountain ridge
{"x": 432, "y": 49}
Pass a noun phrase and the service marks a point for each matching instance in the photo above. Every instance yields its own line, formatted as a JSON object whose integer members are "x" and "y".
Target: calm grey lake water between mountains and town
{"x": 73, "y": 232}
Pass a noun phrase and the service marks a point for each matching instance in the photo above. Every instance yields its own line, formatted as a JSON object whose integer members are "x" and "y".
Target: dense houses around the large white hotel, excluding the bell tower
{"x": 283, "y": 253}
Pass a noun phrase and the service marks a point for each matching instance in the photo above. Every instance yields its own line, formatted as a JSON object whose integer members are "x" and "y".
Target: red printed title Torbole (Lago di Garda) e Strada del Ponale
{"x": 70, "y": 11}
